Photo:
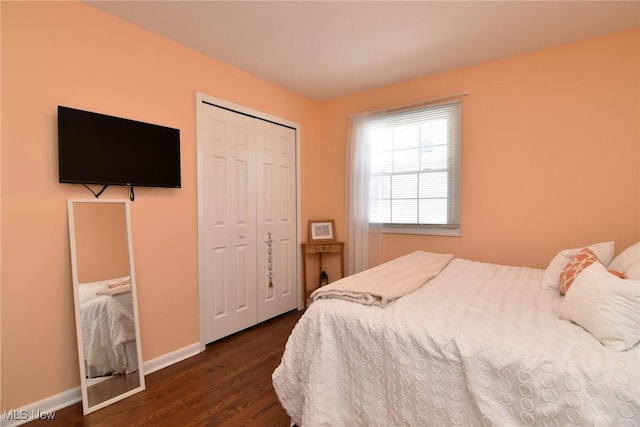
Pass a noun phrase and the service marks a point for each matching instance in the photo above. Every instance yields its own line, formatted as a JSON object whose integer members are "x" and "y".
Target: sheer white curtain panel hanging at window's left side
{"x": 361, "y": 244}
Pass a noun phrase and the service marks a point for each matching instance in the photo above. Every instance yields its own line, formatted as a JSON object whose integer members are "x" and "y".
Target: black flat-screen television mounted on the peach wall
{"x": 96, "y": 148}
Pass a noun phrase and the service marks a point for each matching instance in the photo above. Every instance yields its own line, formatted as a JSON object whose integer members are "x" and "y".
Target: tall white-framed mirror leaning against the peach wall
{"x": 105, "y": 301}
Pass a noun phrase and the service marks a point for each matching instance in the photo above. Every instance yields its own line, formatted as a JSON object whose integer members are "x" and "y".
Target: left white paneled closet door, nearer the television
{"x": 229, "y": 232}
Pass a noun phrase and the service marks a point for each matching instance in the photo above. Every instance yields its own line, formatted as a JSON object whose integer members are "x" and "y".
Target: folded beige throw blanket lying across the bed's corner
{"x": 386, "y": 282}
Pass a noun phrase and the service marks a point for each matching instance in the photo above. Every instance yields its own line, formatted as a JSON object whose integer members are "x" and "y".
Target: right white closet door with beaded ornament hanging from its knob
{"x": 276, "y": 216}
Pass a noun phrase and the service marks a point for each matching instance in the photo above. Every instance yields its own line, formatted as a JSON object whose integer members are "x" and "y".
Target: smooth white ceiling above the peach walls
{"x": 328, "y": 49}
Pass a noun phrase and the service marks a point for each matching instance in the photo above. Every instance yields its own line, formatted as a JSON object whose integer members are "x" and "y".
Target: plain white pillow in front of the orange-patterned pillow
{"x": 606, "y": 306}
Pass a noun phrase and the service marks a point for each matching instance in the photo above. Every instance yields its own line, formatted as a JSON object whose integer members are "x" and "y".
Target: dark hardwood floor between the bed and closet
{"x": 229, "y": 384}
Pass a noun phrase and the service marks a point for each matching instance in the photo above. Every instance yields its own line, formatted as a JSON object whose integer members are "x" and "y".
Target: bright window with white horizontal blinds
{"x": 415, "y": 168}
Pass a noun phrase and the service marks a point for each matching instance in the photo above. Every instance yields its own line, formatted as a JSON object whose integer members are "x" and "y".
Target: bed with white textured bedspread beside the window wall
{"x": 478, "y": 344}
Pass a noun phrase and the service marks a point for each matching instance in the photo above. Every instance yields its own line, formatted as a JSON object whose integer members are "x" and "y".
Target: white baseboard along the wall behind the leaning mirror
{"x": 45, "y": 408}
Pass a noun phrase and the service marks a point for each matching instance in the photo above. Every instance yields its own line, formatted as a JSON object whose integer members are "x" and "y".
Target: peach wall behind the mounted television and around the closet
{"x": 68, "y": 53}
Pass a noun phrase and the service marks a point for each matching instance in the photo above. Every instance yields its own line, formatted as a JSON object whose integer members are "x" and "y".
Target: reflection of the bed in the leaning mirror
{"x": 108, "y": 327}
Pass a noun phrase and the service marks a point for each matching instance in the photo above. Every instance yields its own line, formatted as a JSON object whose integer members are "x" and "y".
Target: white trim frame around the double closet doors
{"x": 201, "y": 101}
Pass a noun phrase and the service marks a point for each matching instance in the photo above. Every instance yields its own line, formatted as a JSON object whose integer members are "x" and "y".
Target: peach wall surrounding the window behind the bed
{"x": 550, "y": 151}
